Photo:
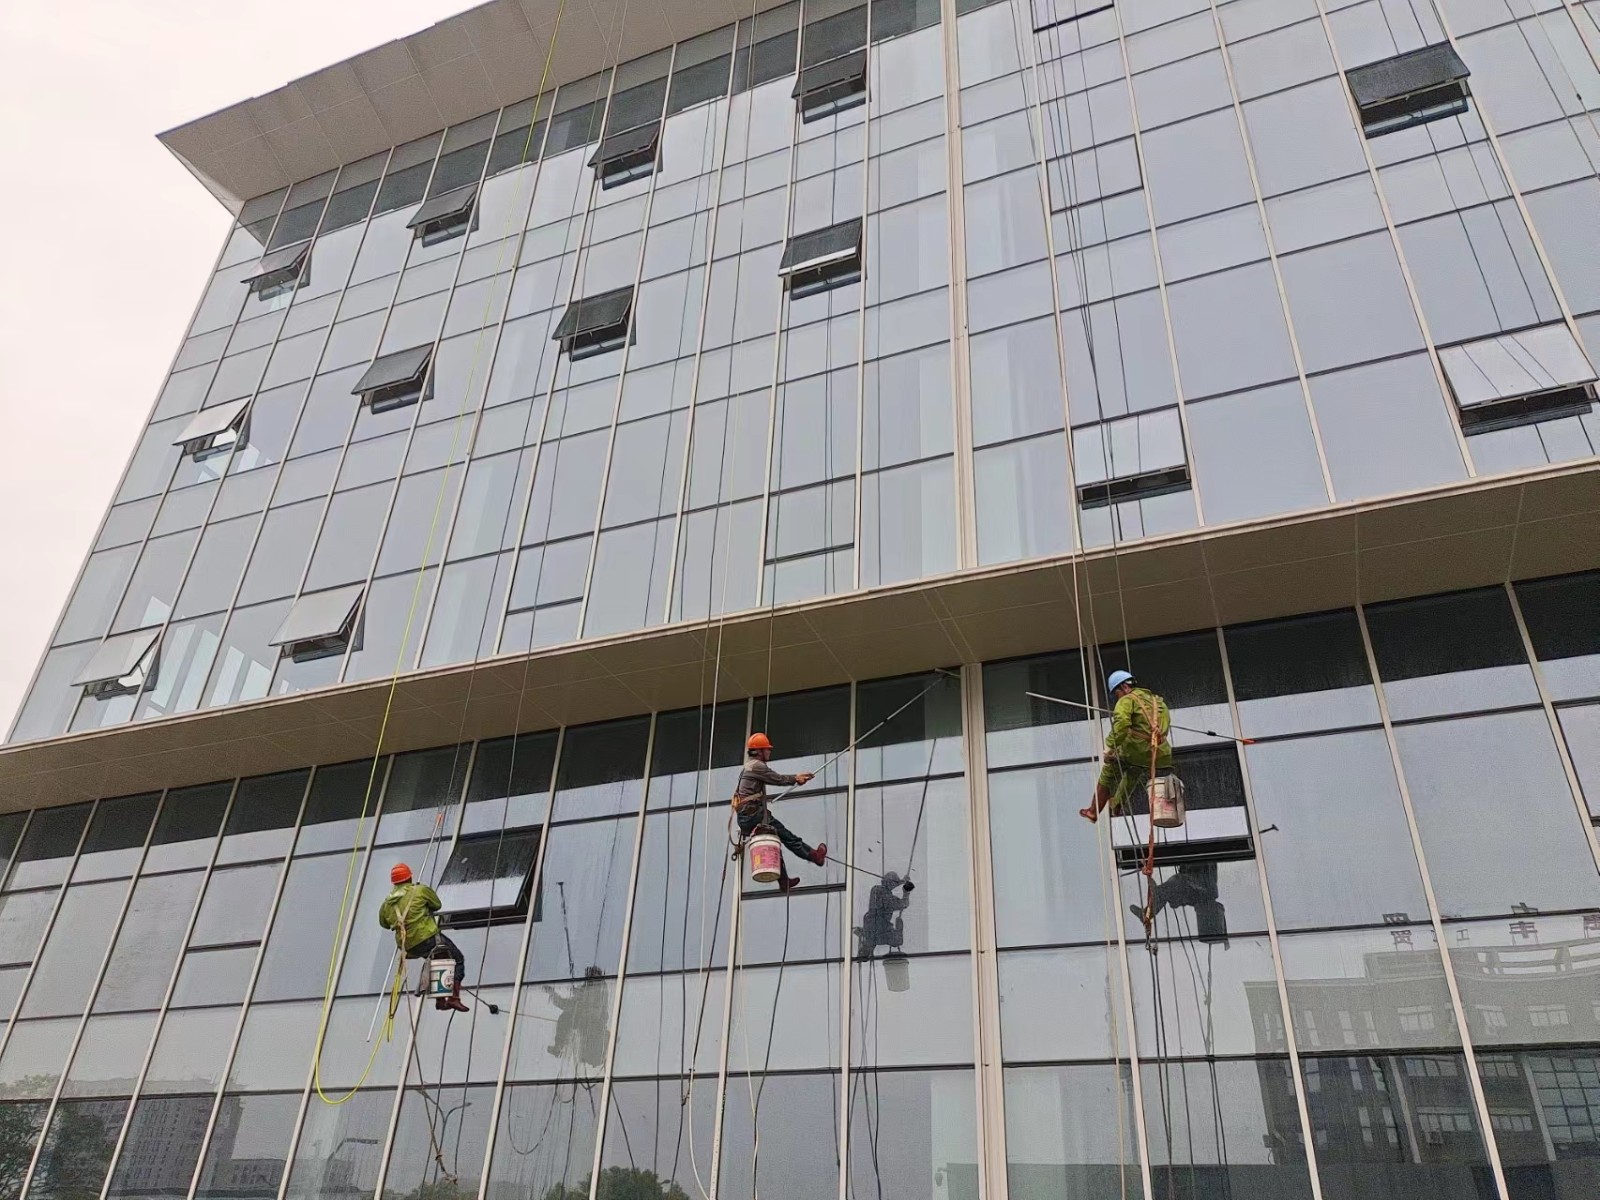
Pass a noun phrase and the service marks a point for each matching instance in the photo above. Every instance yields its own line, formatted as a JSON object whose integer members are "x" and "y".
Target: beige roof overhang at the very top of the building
{"x": 462, "y": 68}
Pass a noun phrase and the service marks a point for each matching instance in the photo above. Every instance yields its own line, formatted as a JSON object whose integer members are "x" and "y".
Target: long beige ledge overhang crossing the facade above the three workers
{"x": 1468, "y": 535}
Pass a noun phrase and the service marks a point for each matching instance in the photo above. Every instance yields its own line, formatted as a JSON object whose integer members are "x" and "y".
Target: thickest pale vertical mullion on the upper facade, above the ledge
{"x": 961, "y": 351}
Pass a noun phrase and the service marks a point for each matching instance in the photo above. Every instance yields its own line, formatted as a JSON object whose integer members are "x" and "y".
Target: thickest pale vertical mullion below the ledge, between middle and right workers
{"x": 988, "y": 1065}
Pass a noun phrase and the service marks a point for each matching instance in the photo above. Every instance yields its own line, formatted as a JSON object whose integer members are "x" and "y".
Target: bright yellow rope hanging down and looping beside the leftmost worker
{"x": 394, "y": 682}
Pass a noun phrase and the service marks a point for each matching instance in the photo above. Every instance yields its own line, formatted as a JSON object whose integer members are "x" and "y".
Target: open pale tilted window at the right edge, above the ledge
{"x": 1519, "y": 378}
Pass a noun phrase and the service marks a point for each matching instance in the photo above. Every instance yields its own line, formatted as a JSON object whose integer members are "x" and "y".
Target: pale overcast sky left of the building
{"x": 110, "y": 241}
